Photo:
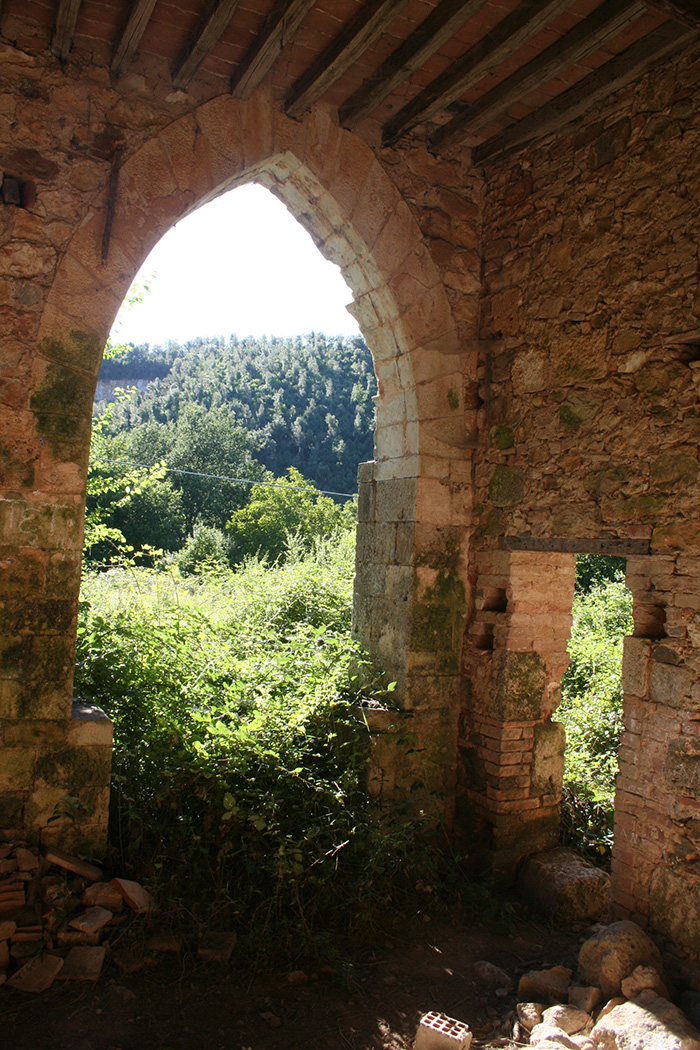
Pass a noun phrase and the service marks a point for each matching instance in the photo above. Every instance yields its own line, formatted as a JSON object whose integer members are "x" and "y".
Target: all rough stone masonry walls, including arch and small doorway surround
{"x": 536, "y": 330}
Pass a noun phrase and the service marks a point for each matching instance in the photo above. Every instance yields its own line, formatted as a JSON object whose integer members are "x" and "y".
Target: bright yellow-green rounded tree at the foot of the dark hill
{"x": 291, "y": 508}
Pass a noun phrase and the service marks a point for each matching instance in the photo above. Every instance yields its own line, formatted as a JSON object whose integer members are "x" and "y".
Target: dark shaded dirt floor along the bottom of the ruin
{"x": 372, "y": 1002}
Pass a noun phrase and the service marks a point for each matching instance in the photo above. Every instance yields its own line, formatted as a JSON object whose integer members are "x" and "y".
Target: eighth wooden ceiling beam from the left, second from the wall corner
{"x": 588, "y": 36}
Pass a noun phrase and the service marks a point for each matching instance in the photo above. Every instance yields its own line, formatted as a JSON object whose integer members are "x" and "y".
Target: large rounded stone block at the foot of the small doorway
{"x": 564, "y": 887}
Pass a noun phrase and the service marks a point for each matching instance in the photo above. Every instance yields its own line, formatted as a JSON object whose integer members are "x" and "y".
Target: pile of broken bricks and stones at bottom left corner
{"x": 62, "y": 927}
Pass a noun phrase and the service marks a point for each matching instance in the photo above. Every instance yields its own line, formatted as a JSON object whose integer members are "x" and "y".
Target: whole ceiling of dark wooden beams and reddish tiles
{"x": 493, "y": 75}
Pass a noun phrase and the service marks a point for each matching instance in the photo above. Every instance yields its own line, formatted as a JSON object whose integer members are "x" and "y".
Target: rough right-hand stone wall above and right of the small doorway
{"x": 589, "y": 436}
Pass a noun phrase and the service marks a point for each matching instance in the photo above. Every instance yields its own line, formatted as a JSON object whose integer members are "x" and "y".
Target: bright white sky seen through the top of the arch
{"x": 240, "y": 265}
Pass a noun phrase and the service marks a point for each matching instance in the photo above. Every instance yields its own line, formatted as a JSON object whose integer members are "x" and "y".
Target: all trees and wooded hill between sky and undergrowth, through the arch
{"x": 289, "y": 413}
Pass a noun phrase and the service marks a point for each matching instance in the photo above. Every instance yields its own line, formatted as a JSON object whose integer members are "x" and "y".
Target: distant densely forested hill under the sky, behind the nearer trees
{"x": 304, "y": 403}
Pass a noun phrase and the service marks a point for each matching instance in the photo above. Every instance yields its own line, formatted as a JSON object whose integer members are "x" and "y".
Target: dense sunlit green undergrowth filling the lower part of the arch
{"x": 240, "y": 752}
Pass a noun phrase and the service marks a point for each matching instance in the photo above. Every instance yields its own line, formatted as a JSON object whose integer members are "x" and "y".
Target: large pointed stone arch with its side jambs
{"x": 414, "y": 498}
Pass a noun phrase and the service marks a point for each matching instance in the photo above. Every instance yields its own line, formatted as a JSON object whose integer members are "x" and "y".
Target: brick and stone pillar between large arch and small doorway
{"x": 512, "y": 751}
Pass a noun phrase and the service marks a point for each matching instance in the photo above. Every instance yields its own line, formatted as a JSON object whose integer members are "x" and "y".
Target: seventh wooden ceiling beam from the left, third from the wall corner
{"x": 512, "y": 33}
